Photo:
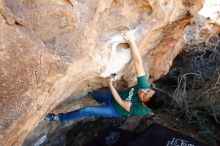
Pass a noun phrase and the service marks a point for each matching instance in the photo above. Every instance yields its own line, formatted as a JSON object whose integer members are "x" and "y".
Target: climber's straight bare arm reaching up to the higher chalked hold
{"x": 135, "y": 54}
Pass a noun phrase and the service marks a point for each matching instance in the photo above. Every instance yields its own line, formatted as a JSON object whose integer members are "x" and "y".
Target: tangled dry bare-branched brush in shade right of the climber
{"x": 198, "y": 91}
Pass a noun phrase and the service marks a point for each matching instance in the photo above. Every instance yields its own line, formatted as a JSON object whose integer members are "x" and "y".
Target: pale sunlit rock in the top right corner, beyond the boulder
{"x": 204, "y": 24}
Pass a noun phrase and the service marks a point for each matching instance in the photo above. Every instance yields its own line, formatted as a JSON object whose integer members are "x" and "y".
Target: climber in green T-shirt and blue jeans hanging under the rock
{"x": 132, "y": 101}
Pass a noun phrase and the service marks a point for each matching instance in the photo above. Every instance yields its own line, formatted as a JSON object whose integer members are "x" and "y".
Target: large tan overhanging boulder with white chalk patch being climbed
{"x": 51, "y": 50}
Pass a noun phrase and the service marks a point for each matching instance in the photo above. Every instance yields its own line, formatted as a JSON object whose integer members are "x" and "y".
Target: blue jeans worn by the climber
{"x": 107, "y": 110}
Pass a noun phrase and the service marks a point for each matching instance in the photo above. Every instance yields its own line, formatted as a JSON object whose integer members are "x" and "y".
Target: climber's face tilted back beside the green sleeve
{"x": 145, "y": 94}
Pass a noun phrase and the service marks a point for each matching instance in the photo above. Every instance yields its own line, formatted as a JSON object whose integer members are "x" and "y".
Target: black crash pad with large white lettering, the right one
{"x": 157, "y": 135}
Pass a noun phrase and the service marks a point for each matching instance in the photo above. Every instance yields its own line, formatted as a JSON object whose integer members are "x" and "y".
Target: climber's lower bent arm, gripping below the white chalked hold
{"x": 125, "y": 104}
